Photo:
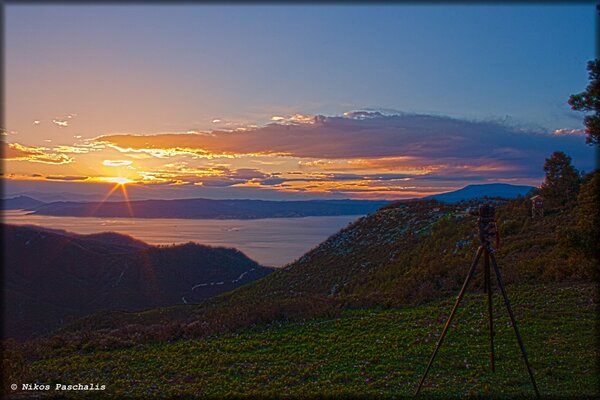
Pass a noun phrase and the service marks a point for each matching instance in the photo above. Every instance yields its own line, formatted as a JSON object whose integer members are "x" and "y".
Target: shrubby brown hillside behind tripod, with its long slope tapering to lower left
{"x": 404, "y": 254}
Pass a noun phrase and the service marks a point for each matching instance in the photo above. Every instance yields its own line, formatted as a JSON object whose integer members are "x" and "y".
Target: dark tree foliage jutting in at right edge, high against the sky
{"x": 590, "y": 101}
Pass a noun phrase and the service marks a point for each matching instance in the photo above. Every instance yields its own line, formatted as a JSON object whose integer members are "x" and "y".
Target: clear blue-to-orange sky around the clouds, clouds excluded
{"x": 190, "y": 68}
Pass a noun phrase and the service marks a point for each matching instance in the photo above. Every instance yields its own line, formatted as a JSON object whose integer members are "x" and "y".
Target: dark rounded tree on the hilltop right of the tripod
{"x": 562, "y": 181}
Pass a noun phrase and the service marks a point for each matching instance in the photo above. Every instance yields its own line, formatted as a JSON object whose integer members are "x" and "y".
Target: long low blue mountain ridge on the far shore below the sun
{"x": 210, "y": 209}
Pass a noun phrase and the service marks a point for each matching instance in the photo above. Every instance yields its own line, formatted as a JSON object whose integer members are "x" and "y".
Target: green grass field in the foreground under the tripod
{"x": 365, "y": 352}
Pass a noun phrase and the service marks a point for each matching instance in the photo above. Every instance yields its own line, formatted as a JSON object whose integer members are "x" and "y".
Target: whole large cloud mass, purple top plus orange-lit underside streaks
{"x": 413, "y": 143}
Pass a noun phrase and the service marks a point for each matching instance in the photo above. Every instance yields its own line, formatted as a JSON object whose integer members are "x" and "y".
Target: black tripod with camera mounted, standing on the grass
{"x": 487, "y": 228}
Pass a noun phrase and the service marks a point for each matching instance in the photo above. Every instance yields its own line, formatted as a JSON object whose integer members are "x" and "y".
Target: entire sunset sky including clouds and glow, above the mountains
{"x": 290, "y": 102}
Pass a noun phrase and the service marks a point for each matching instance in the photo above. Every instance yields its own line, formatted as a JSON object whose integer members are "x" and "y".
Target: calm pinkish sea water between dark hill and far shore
{"x": 272, "y": 242}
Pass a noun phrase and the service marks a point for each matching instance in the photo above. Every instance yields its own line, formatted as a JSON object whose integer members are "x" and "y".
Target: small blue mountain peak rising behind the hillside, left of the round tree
{"x": 471, "y": 192}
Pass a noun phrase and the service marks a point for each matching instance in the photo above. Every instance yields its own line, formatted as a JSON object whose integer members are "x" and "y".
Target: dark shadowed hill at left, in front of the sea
{"x": 51, "y": 277}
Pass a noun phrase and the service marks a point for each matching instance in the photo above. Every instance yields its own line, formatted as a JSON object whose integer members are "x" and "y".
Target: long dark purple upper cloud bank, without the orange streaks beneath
{"x": 427, "y": 138}
